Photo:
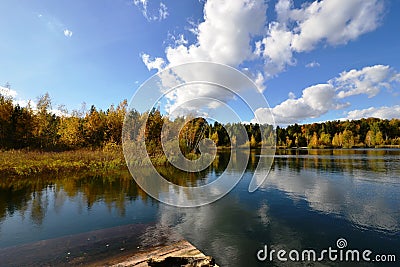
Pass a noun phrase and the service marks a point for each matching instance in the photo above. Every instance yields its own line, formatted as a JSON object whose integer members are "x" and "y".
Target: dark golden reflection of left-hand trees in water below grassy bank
{"x": 33, "y": 194}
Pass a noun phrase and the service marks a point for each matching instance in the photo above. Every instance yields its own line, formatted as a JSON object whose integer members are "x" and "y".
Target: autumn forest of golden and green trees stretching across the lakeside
{"x": 41, "y": 130}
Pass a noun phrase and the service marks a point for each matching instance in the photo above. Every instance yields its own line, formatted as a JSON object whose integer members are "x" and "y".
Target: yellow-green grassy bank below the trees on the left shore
{"x": 24, "y": 163}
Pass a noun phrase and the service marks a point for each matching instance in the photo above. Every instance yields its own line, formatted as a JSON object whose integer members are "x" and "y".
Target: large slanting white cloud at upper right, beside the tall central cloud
{"x": 302, "y": 29}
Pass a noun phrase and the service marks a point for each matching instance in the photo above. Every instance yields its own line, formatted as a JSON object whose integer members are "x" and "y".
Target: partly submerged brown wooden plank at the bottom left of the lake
{"x": 128, "y": 245}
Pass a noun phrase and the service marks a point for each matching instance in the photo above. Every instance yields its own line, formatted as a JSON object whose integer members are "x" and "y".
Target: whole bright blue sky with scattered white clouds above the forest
{"x": 314, "y": 61}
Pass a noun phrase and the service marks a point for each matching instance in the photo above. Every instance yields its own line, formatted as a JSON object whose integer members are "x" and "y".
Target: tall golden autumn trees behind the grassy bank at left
{"x": 41, "y": 129}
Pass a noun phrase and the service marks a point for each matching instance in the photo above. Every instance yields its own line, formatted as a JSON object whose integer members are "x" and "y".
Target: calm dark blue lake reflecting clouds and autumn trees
{"x": 310, "y": 199}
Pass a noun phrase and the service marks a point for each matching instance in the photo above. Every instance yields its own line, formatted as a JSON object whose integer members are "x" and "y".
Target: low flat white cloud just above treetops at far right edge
{"x": 375, "y": 112}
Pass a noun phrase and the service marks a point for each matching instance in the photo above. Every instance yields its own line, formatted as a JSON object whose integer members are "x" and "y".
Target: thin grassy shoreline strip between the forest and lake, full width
{"x": 22, "y": 163}
